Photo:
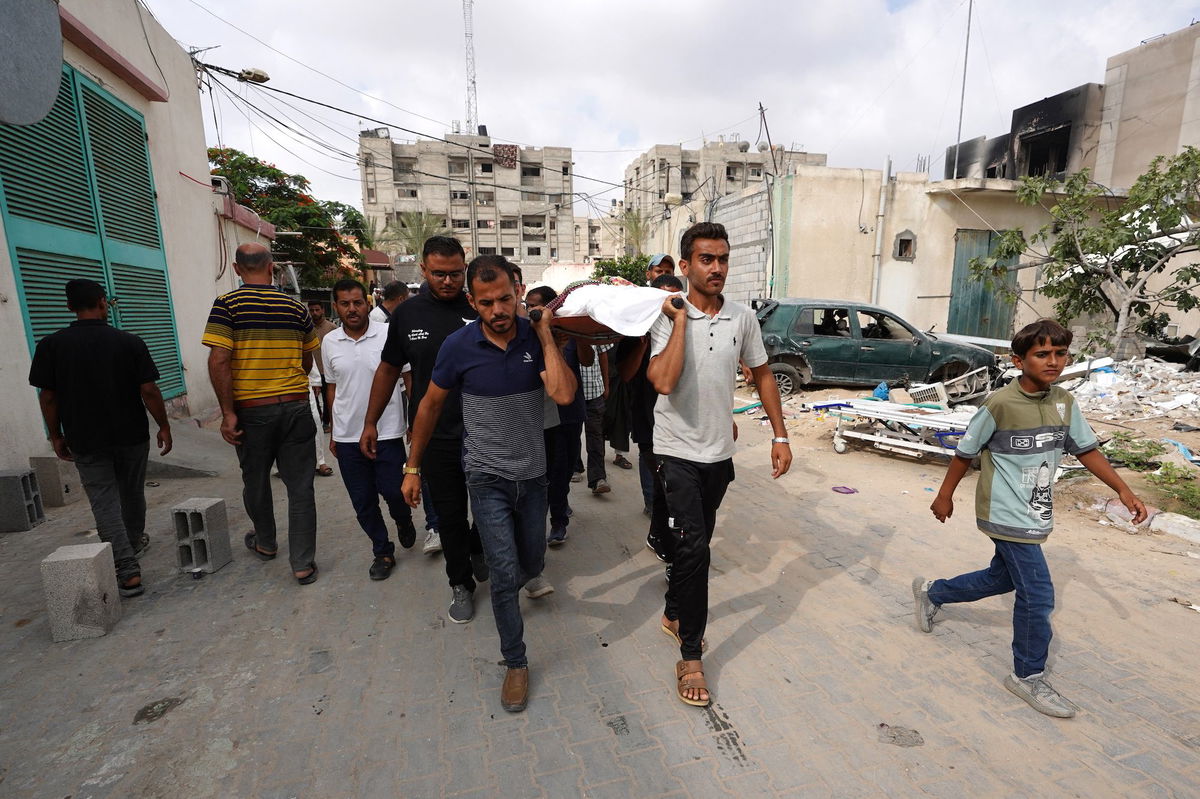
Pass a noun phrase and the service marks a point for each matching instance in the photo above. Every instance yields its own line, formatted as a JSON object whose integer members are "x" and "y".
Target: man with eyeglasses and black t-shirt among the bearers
{"x": 415, "y": 337}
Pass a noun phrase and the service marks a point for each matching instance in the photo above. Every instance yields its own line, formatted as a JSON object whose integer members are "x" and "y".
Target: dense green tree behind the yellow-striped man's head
{"x": 331, "y": 233}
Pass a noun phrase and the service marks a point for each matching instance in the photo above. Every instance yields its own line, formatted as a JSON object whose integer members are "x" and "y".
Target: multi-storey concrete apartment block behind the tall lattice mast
{"x": 496, "y": 199}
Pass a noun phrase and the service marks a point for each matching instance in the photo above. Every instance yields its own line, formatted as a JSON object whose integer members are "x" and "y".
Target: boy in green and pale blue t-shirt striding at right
{"x": 1021, "y": 435}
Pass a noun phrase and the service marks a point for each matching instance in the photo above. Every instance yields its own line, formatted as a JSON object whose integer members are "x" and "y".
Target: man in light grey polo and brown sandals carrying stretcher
{"x": 694, "y": 357}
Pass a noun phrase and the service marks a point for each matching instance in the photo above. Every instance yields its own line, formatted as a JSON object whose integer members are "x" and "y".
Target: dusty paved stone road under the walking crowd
{"x": 351, "y": 688}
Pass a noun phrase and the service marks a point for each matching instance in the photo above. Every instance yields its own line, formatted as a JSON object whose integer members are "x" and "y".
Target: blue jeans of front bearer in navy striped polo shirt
{"x": 512, "y": 519}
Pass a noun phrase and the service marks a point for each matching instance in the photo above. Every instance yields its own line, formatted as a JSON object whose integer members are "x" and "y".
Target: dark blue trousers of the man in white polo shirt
{"x": 367, "y": 480}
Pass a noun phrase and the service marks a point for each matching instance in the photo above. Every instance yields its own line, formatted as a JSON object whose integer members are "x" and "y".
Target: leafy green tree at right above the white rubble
{"x": 1101, "y": 256}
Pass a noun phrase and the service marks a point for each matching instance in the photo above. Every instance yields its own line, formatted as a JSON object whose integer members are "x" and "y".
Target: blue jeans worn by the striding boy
{"x": 1019, "y": 568}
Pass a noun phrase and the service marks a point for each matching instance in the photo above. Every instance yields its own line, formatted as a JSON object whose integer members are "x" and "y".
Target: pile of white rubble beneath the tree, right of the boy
{"x": 1139, "y": 389}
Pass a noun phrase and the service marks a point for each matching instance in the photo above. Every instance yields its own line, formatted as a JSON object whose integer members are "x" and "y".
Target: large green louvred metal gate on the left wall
{"x": 77, "y": 200}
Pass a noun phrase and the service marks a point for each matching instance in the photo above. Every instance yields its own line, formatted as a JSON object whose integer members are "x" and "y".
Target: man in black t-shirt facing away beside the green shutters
{"x": 97, "y": 386}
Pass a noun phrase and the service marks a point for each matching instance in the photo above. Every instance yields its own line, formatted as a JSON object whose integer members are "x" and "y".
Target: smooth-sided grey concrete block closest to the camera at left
{"x": 82, "y": 599}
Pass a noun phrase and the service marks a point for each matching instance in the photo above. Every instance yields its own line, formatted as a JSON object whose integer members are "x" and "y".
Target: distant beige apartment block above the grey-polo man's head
{"x": 717, "y": 170}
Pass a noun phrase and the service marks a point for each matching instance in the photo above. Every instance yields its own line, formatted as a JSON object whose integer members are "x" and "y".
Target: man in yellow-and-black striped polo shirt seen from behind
{"x": 262, "y": 347}
